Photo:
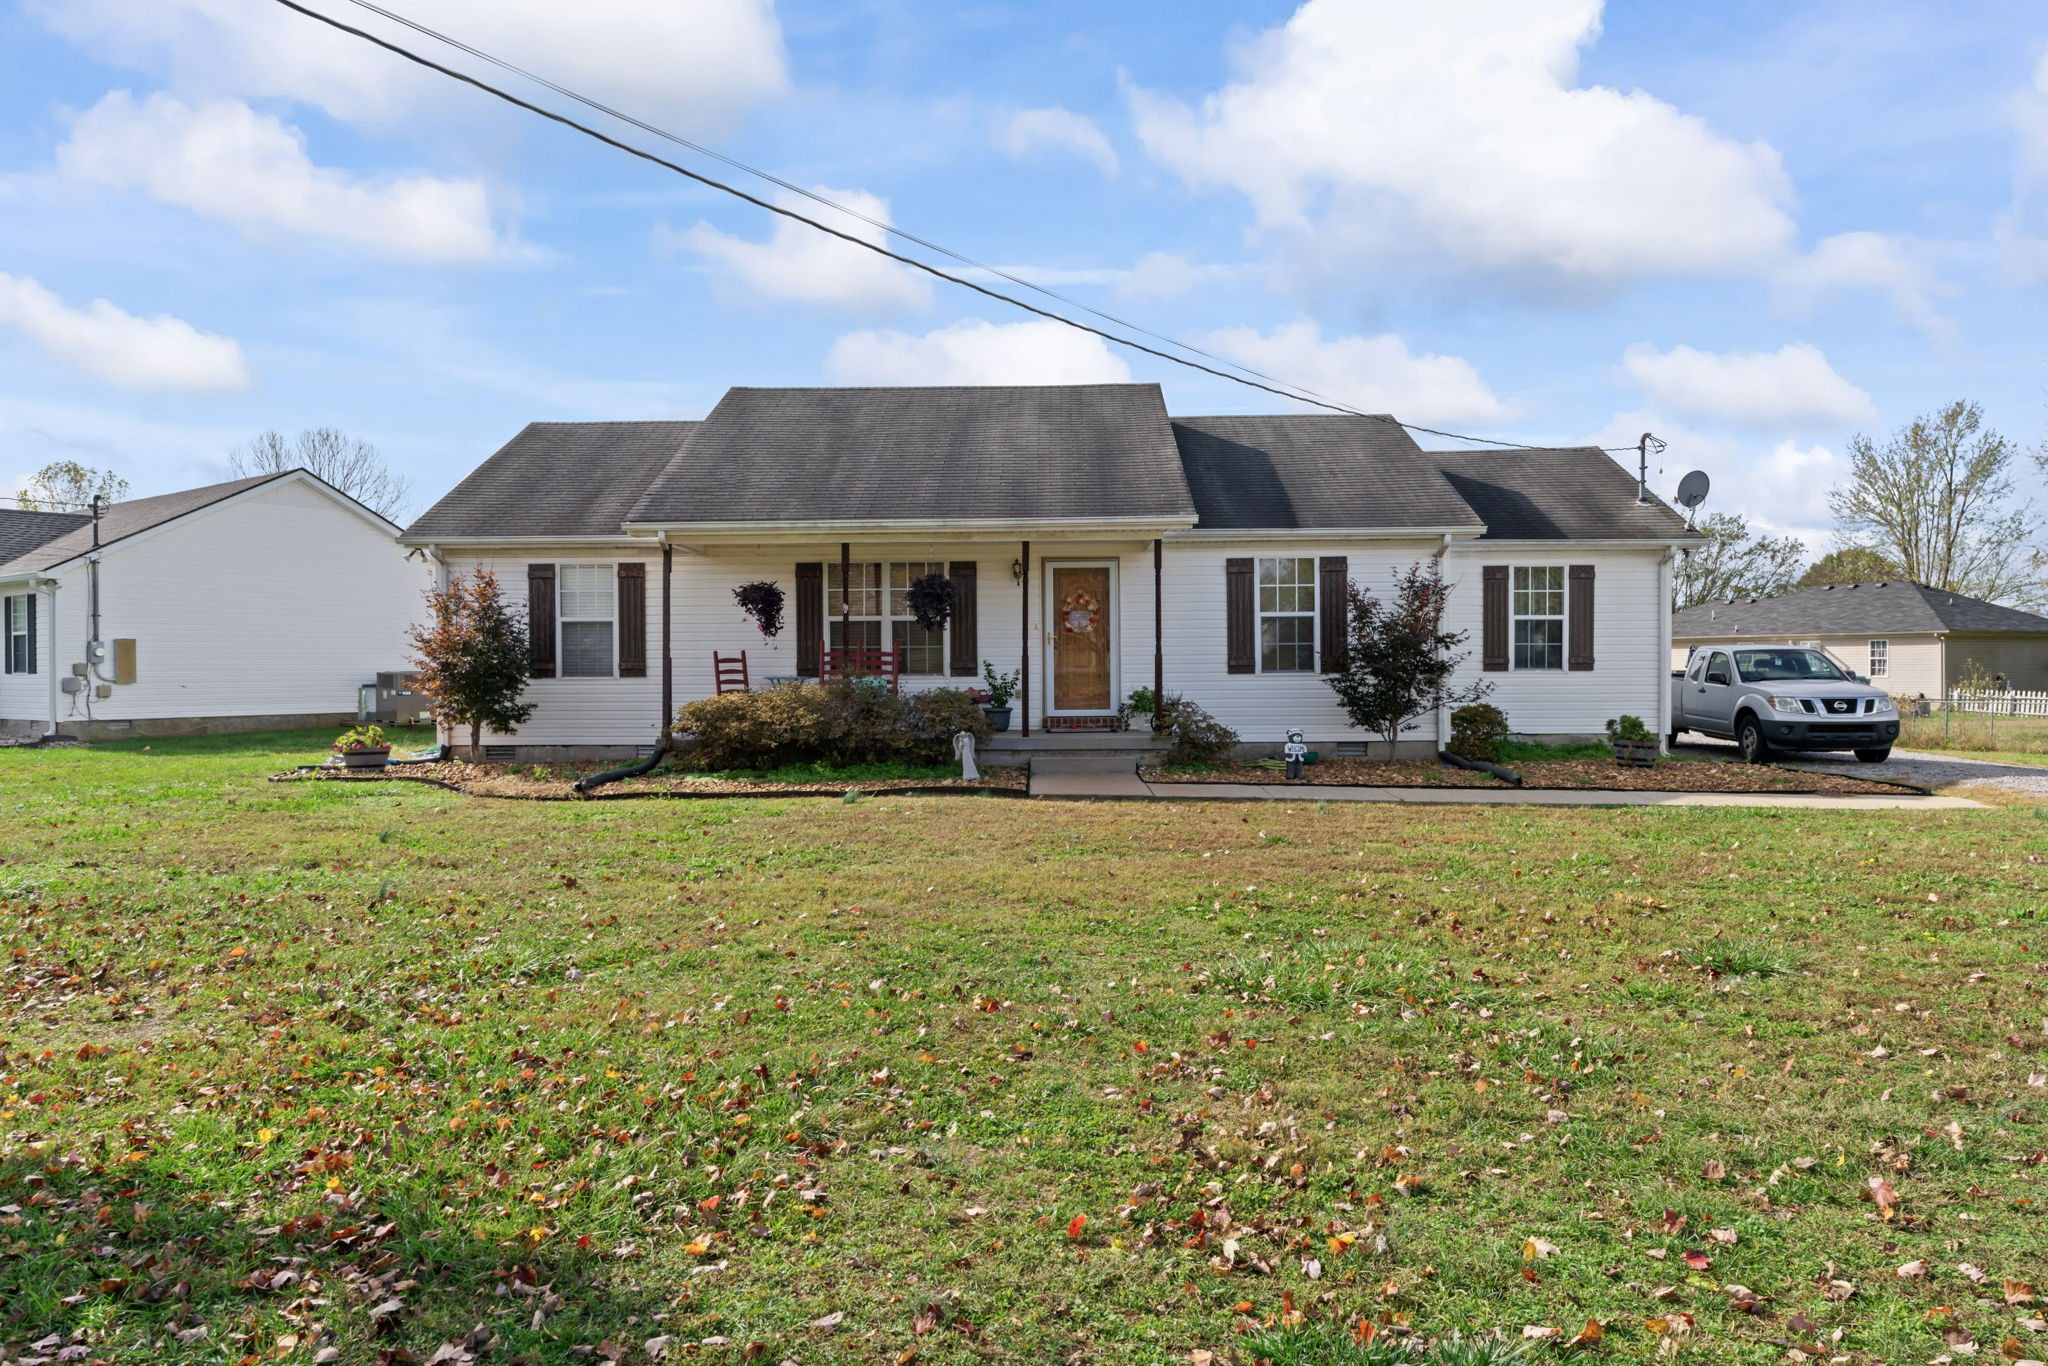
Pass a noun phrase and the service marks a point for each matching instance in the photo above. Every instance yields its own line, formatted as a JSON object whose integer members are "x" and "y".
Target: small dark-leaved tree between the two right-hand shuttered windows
{"x": 1398, "y": 660}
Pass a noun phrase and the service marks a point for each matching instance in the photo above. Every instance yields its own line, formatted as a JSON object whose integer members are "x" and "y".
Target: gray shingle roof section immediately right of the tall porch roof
{"x": 1304, "y": 472}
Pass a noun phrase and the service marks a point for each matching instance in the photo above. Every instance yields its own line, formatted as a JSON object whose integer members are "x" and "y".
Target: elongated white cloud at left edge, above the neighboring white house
{"x": 134, "y": 353}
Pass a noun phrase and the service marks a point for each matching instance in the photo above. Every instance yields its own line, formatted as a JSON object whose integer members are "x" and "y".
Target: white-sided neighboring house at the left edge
{"x": 247, "y": 605}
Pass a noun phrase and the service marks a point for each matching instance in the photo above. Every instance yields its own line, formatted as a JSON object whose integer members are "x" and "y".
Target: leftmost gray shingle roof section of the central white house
{"x": 556, "y": 480}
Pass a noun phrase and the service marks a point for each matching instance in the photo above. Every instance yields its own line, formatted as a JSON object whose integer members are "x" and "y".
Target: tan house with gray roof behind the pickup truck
{"x": 1908, "y": 638}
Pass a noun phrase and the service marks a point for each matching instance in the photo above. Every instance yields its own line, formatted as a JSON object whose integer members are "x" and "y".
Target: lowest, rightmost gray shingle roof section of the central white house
{"x": 1566, "y": 495}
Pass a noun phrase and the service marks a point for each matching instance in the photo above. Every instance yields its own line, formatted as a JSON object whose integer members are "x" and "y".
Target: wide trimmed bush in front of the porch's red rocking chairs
{"x": 841, "y": 724}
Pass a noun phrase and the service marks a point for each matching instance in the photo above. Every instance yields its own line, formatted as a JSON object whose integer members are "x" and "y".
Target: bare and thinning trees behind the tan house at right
{"x": 1938, "y": 503}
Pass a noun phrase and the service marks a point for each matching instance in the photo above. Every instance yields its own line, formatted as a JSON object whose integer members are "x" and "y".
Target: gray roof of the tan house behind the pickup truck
{"x": 1897, "y": 607}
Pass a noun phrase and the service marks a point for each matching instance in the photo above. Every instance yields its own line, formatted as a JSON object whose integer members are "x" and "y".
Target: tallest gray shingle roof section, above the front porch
{"x": 1023, "y": 454}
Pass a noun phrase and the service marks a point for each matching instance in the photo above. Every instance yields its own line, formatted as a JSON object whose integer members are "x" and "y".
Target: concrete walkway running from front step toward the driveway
{"x": 1129, "y": 787}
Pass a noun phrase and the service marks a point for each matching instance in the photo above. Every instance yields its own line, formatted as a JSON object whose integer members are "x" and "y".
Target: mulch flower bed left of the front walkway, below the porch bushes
{"x": 554, "y": 781}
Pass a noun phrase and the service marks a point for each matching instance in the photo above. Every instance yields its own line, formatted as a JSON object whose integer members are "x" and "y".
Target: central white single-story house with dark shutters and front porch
{"x": 1095, "y": 542}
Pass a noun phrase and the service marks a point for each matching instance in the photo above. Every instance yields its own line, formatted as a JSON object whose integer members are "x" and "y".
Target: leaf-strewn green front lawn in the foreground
{"x": 290, "y": 1068}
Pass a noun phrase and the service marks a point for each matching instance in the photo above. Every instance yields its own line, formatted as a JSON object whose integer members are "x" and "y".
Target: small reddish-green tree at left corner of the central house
{"x": 472, "y": 658}
